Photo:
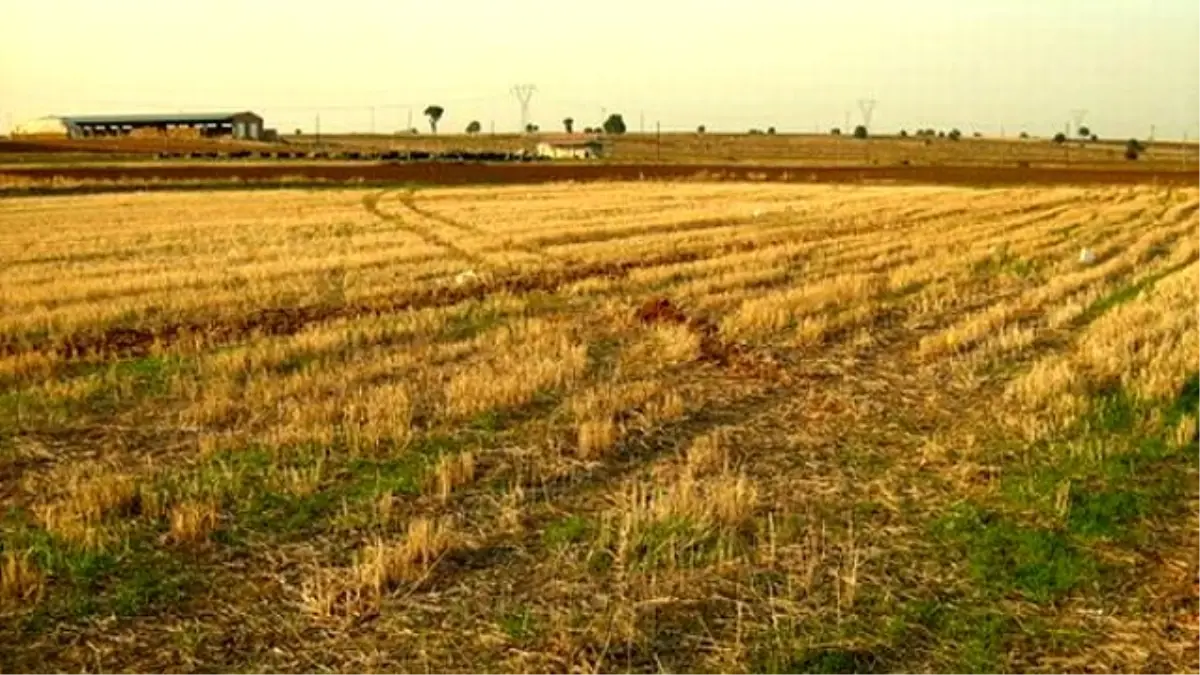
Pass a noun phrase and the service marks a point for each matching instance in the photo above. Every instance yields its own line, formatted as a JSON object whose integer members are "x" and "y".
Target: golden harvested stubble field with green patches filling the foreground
{"x": 605, "y": 428}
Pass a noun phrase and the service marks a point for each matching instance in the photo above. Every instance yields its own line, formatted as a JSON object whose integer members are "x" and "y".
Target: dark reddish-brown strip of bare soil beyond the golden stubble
{"x": 446, "y": 174}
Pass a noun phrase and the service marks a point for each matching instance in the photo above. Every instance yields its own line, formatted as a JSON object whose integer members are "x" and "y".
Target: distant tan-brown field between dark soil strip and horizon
{"x": 670, "y": 148}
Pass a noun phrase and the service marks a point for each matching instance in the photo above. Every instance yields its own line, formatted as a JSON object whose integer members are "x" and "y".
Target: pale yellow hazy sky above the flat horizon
{"x": 800, "y": 65}
